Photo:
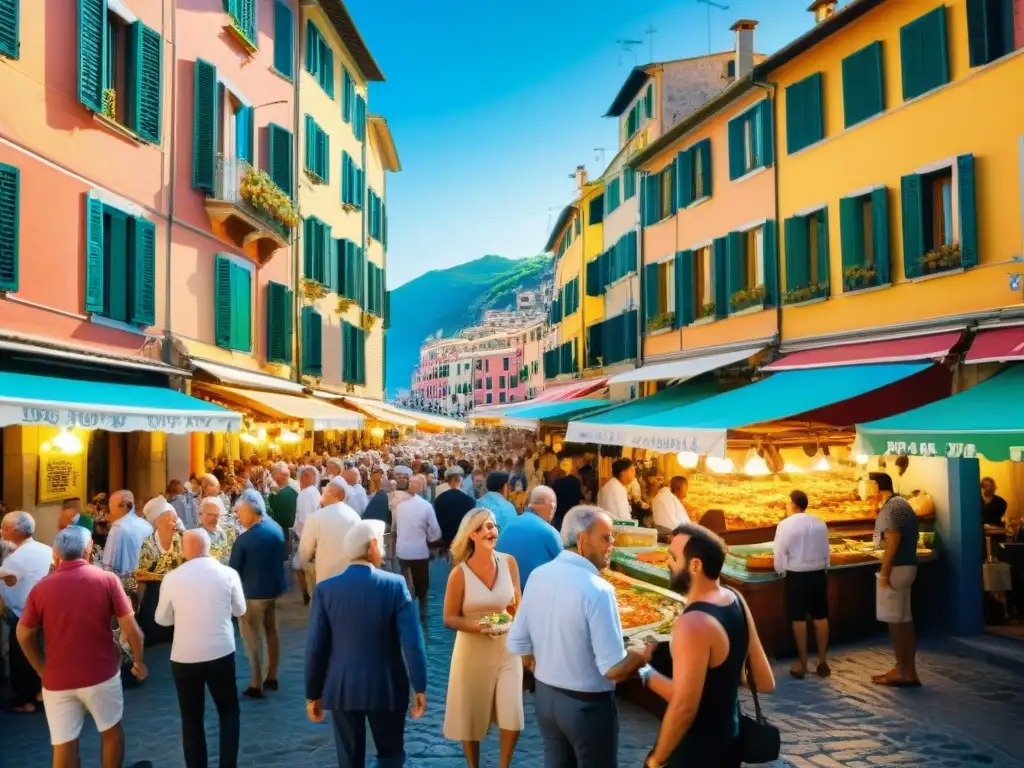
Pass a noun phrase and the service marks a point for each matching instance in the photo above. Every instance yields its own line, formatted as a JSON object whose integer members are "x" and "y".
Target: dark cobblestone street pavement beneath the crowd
{"x": 968, "y": 714}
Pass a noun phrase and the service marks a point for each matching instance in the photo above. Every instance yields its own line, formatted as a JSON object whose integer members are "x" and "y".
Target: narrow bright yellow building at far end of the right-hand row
{"x": 574, "y": 349}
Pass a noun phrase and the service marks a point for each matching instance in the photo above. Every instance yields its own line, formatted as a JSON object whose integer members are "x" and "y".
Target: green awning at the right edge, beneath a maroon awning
{"x": 987, "y": 419}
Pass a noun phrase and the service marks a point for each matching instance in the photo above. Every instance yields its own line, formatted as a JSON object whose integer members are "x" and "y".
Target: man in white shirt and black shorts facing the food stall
{"x": 802, "y": 556}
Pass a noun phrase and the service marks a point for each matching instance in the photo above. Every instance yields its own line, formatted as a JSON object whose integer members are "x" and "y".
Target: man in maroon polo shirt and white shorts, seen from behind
{"x": 81, "y": 670}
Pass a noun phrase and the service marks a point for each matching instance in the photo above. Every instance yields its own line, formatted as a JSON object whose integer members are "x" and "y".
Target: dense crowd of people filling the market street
{"x": 527, "y": 534}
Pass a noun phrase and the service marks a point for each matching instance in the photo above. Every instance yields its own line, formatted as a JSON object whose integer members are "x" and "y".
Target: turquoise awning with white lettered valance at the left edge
{"x": 48, "y": 401}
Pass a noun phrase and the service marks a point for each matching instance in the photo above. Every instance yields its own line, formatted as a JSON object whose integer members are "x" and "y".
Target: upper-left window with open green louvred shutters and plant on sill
{"x": 120, "y": 68}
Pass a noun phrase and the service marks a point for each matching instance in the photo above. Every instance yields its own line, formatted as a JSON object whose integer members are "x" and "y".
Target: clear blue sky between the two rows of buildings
{"x": 493, "y": 106}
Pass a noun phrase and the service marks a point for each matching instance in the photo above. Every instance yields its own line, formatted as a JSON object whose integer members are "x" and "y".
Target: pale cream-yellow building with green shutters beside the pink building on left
{"x": 344, "y": 154}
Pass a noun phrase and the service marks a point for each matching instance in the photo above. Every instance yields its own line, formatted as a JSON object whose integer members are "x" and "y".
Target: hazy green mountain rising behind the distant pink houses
{"x": 448, "y": 301}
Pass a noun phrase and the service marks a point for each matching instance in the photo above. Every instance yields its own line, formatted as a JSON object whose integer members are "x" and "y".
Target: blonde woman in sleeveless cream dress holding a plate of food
{"x": 486, "y": 681}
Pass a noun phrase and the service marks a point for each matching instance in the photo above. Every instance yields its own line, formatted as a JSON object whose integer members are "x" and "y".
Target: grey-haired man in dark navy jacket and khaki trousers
{"x": 259, "y": 556}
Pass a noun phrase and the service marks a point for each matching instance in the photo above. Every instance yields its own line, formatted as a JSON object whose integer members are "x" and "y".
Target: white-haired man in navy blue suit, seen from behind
{"x": 362, "y": 624}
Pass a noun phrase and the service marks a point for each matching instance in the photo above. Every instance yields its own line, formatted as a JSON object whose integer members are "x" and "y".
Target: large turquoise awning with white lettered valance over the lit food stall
{"x": 701, "y": 424}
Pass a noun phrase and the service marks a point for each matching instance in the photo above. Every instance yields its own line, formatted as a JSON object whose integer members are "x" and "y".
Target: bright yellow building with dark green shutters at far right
{"x": 900, "y": 154}
